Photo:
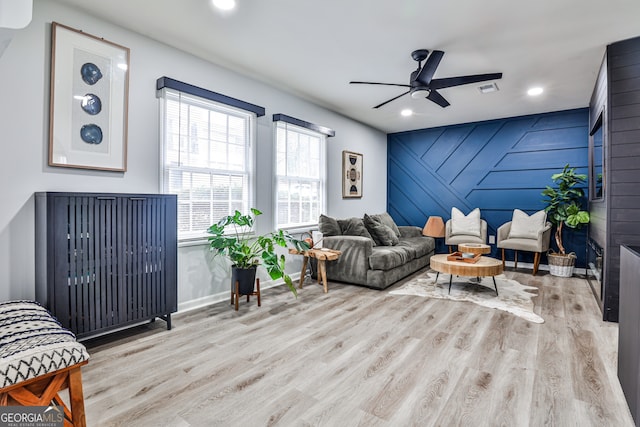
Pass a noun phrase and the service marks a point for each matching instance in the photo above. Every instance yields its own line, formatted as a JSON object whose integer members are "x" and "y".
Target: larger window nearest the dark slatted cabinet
{"x": 207, "y": 159}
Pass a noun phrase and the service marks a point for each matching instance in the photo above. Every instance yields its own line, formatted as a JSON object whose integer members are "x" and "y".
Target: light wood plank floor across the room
{"x": 361, "y": 357}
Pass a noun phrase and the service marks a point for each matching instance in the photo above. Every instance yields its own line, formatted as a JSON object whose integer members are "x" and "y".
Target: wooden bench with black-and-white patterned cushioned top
{"x": 38, "y": 359}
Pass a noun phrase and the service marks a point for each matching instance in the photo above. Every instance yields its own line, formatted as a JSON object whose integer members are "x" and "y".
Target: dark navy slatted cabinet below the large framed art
{"x": 105, "y": 261}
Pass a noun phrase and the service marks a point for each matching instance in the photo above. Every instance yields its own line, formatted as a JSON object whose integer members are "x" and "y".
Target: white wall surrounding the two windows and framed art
{"x": 24, "y": 120}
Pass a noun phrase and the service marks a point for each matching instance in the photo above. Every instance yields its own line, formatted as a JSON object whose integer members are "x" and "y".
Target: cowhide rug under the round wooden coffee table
{"x": 513, "y": 297}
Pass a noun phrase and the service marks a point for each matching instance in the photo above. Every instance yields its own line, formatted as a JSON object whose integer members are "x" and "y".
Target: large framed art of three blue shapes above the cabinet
{"x": 89, "y": 101}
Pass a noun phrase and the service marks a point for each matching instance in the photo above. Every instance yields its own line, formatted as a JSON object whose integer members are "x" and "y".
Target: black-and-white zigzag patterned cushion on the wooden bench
{"x": 33, "y": 343}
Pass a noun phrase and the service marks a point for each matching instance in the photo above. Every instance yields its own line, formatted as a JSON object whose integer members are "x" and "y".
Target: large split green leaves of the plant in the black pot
{"x": 246, "y": 250}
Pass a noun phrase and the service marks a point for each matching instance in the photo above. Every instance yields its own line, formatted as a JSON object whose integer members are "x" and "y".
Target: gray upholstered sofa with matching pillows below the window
{"x": 375, "y": 252}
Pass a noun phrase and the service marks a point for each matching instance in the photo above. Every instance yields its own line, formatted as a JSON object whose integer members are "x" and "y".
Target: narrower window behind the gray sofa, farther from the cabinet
{"x": 300, "y": 175}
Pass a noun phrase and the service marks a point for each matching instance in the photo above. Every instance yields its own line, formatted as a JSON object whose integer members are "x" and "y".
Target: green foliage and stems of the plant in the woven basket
{"x": 564, "y": 203}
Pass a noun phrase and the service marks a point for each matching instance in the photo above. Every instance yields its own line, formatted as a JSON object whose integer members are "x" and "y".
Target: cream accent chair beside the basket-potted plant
{"x": 531, "y": 233}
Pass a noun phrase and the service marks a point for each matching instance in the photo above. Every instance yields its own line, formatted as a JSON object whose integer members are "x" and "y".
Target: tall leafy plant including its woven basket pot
{"x": 564, "y": 207}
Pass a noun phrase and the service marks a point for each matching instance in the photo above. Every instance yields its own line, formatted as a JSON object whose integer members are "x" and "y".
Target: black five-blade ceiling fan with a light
{"x": 422, "y": 82}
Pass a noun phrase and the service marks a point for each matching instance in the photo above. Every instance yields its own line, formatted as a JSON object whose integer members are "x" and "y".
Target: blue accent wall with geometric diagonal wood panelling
{"x": 497, "y": 166}
